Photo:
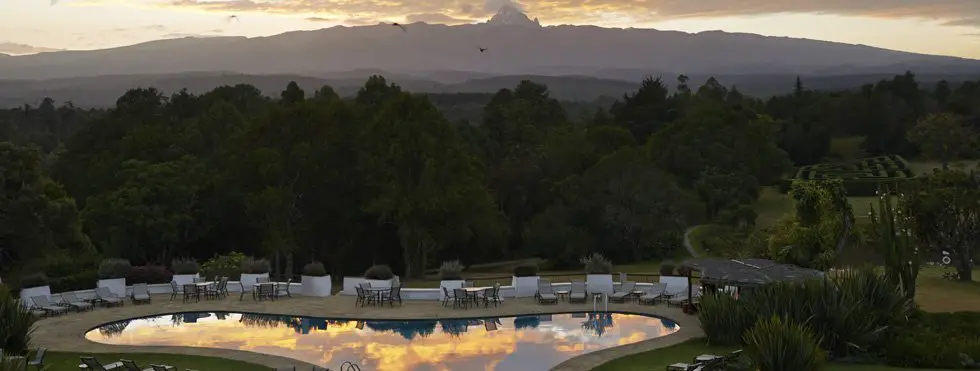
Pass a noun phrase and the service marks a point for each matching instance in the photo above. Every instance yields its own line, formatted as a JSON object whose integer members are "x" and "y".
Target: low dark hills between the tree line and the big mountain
{"x": 102, "y": 91}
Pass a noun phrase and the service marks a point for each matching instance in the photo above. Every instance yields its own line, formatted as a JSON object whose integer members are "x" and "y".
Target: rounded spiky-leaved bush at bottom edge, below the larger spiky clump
{"x": 779, "y": 344}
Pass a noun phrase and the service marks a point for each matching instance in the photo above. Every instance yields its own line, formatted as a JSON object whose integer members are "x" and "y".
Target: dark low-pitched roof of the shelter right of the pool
{"x": 747, "y": 272}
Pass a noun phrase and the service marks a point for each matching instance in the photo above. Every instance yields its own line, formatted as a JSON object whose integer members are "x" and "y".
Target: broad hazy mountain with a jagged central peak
{"x": 516, "y": 45}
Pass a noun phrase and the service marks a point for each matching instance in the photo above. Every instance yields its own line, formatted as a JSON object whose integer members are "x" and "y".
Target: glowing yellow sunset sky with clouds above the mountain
{"x": 945, "y": 27}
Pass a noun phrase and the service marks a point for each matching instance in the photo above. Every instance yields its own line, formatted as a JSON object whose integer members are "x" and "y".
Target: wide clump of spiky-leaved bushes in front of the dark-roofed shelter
{"x": 849, "y": 312}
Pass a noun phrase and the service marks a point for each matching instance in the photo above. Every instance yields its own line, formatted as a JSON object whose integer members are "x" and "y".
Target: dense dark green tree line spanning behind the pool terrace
{"x": 385, "y": 177}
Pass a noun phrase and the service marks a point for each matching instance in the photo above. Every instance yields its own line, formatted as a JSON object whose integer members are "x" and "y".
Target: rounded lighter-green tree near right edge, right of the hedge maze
{"x": 942, "y": 137}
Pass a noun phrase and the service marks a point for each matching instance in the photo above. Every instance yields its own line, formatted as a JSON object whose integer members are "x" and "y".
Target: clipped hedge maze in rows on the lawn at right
{"x": 861, "y": 177}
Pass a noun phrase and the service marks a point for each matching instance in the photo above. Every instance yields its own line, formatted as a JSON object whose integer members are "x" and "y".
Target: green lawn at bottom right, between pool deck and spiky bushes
{"x": 659, "y": 359}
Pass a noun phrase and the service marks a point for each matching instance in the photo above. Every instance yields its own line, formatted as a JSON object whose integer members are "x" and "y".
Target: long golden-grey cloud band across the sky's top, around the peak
{"x": 949, "y": 12}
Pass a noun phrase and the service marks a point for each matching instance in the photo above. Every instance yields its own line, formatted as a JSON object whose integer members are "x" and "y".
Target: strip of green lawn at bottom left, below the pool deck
{"x": 57, "y": 361}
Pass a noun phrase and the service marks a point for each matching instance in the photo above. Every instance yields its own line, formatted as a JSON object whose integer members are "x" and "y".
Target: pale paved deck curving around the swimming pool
{"x": 67, "y": 332}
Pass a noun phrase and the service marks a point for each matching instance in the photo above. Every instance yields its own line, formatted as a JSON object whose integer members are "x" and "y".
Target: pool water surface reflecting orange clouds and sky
{"x": 524, "y": 343}
